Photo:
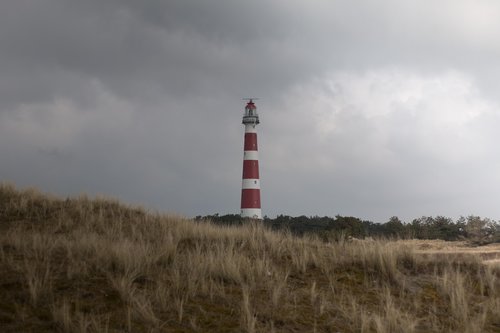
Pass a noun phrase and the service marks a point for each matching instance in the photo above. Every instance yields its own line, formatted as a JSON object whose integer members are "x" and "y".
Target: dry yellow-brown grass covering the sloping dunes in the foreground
{"x": 95, "y": 265}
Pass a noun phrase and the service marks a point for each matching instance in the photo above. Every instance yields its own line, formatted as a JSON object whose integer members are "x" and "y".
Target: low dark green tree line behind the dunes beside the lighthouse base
{"x": 474, "y": 228}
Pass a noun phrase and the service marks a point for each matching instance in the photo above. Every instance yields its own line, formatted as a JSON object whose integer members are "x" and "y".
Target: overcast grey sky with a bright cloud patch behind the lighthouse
{"x": 368, "y": 108}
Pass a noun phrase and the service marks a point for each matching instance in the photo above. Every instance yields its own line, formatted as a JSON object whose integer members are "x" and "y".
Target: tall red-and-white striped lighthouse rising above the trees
{"x": 250, "y": 189}
